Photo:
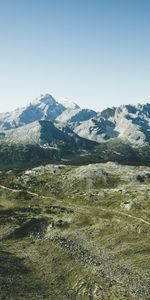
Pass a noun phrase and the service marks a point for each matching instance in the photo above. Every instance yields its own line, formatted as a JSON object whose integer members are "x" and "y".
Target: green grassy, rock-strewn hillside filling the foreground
{"x": 68, "y": 241}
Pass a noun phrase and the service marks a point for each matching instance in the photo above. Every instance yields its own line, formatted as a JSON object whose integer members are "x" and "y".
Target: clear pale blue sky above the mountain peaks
{"x": 96, "y": 52}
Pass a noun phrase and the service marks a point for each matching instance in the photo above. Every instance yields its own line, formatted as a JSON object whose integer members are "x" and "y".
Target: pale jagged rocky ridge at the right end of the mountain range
{"x": 130, "y": 123}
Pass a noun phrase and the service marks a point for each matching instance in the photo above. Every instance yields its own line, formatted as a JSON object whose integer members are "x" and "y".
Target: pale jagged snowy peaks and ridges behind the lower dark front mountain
{"x": 127, "y": 122}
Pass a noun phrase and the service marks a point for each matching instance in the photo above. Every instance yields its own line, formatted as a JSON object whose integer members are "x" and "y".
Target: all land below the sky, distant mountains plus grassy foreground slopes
{"x": 74, "y": 202}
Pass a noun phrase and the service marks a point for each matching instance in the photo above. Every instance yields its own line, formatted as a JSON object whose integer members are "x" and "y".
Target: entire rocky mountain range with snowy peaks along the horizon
{"x": 127, "y": 122}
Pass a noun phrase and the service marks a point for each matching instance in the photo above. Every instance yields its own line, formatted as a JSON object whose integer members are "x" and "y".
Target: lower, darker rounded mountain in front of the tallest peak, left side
{"x": 46, "y": 134}
